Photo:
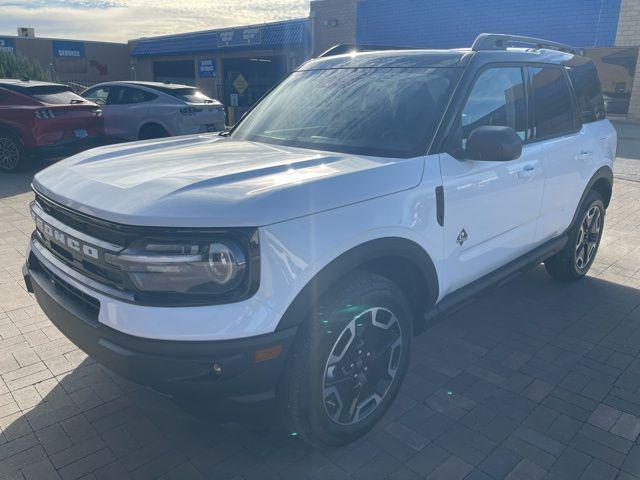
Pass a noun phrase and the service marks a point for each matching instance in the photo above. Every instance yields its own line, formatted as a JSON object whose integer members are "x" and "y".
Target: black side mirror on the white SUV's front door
{"x": 493, "y": 143}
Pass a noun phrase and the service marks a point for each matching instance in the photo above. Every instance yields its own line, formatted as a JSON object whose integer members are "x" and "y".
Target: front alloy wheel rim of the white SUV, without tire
{"x": 362, "y": 366}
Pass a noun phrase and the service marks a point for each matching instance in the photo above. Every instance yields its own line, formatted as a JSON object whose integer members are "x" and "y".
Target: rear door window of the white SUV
{"x": 552, "y": 103}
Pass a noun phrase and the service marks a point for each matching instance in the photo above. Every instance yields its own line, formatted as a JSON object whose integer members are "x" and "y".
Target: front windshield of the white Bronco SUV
{"x": 370, "y": 111}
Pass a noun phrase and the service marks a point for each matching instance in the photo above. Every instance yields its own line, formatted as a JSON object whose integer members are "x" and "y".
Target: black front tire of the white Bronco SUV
{"x": 302, "y": 399}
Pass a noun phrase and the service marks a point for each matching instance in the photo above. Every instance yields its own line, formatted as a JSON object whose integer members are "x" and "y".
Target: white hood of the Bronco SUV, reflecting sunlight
{"x": 212, "y": 181}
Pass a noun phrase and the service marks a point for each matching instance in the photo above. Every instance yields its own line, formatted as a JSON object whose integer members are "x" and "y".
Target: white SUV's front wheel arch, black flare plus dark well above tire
{"x": 401, "y": 260}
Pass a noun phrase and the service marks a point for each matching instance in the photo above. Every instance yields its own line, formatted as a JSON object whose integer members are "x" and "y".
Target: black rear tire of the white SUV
{"x": 574, "y": 260}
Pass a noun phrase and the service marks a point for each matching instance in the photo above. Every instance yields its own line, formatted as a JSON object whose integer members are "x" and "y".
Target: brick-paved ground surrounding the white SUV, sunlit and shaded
{"x": 538, "y": 379}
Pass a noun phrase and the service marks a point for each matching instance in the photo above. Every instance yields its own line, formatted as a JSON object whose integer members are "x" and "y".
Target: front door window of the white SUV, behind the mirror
{"x": 497, "y": 98}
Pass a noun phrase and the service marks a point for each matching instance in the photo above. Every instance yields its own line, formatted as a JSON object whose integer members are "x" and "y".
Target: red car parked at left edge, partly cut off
{"x": 44, "y": 119}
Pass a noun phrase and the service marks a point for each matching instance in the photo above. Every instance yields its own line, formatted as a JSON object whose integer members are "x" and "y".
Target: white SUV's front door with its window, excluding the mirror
{"x": 491, "y": 207}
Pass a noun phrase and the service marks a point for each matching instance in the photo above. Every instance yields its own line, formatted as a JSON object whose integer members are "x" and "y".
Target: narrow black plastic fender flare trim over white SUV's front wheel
{"x": 357, "y": 257}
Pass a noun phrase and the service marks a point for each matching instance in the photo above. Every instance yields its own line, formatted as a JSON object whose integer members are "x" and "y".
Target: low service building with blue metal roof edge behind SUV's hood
{"x": 236, "y": 65}
